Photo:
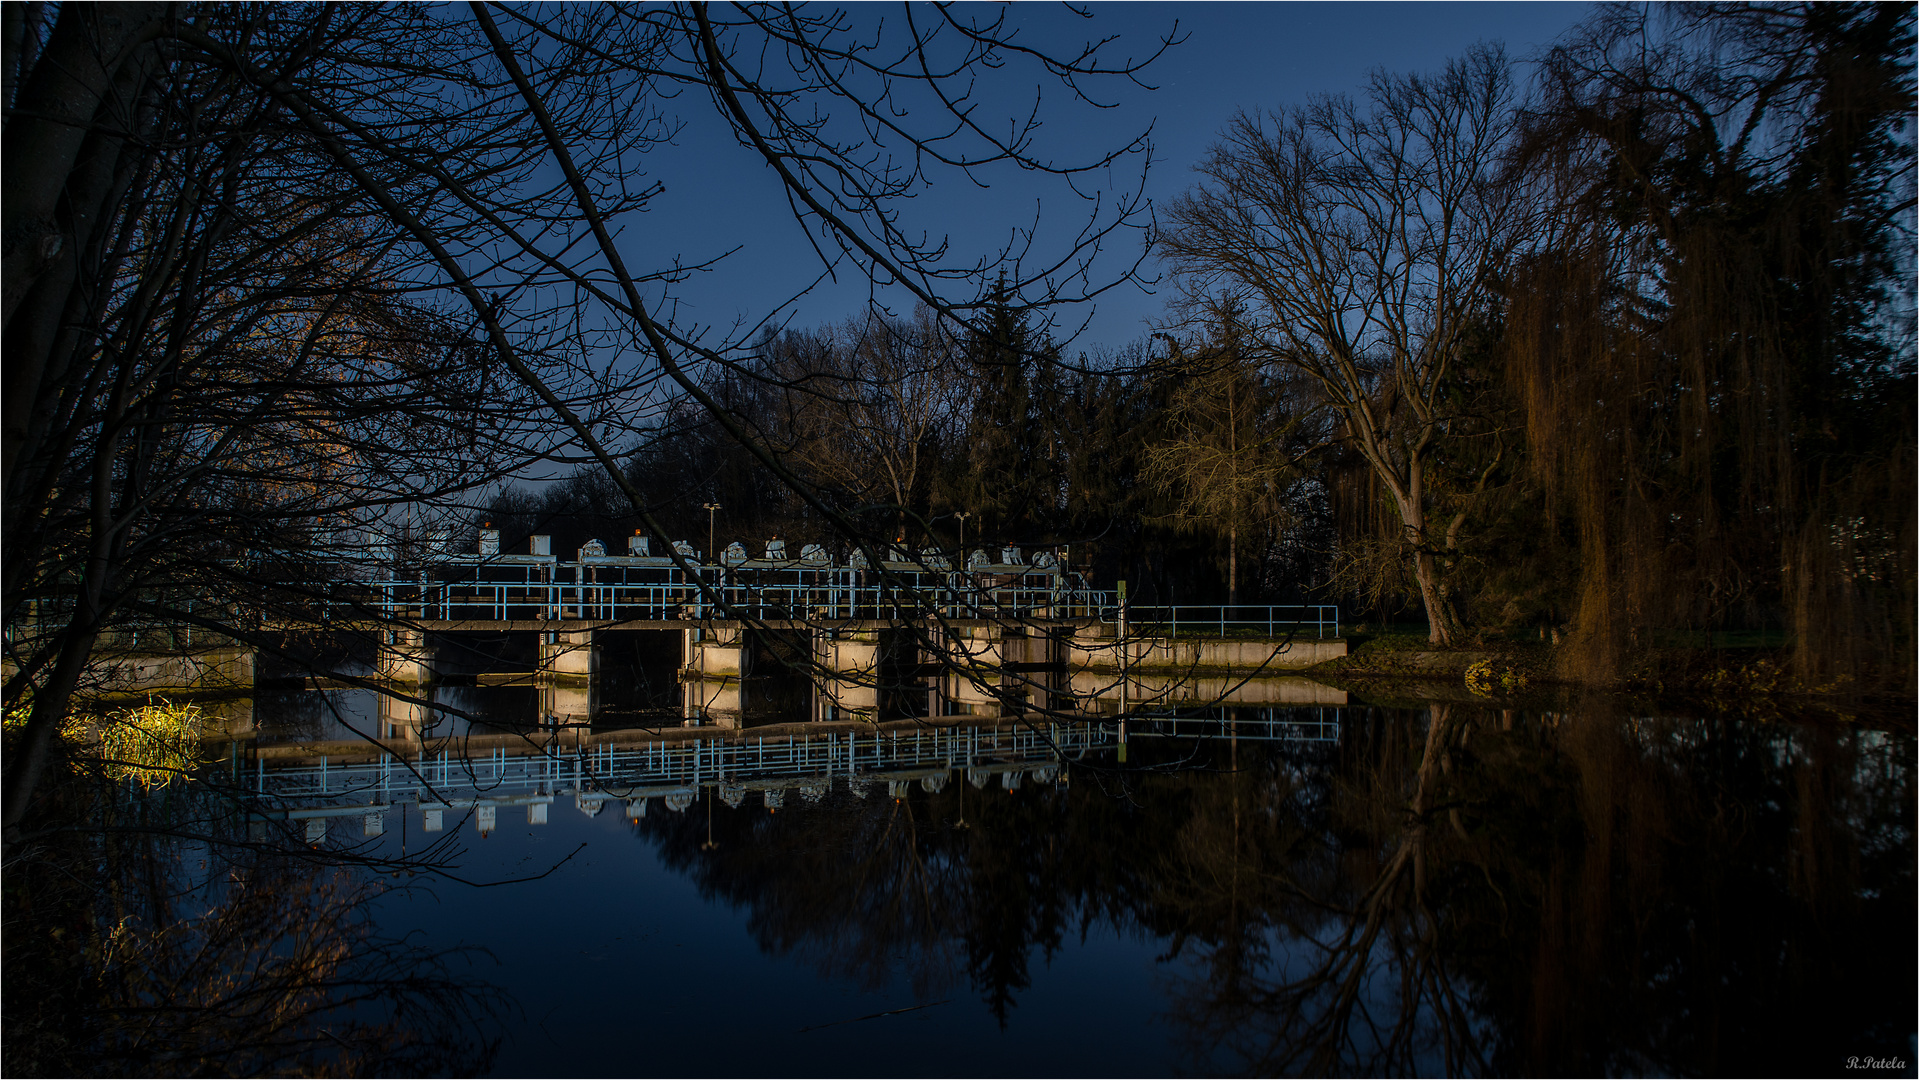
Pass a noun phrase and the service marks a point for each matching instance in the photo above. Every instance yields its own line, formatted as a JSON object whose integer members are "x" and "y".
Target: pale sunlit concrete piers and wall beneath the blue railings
{"x": 857, "y": 670}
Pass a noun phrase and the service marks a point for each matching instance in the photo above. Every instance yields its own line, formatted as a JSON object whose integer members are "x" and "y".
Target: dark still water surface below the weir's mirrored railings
{"x": 1446, "y": 889}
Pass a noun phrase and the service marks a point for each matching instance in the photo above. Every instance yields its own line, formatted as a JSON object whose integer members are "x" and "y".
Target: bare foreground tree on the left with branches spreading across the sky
{"x": 277, "y": 271}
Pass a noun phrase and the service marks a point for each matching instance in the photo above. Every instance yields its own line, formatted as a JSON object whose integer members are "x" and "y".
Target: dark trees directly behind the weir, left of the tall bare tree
{"x": 1124, "y": 458}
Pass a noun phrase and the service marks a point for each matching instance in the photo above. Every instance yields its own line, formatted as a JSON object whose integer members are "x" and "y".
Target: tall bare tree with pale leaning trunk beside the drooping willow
{"x": 1362, "y": 245}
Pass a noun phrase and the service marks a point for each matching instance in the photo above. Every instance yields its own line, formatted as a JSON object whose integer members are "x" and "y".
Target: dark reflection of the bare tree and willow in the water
{"x": 1578, "y": 895}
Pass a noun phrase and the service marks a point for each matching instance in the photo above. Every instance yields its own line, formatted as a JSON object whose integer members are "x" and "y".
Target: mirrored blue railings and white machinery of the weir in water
{"x": 675, "y": 770}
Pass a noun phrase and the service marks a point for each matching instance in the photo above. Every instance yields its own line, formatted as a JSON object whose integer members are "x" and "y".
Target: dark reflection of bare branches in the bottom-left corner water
{"x": 174, "y": 945}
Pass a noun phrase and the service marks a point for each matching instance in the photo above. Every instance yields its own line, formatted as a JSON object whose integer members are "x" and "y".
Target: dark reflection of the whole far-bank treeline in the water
{"x": 1456, "y": 891}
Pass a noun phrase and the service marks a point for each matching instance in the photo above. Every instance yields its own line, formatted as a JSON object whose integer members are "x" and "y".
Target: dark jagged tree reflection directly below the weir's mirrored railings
{"x": 868, "y": 889}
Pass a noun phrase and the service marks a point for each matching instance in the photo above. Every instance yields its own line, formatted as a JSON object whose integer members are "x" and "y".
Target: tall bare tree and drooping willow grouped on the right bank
{"x": 1624, "y": 356}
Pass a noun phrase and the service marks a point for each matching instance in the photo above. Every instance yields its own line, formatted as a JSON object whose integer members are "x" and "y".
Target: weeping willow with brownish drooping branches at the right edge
{"x": 1713, "y": 352}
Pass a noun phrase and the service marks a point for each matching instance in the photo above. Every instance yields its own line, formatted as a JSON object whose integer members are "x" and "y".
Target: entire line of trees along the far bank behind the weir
{"x": 1624, "y": 358}
